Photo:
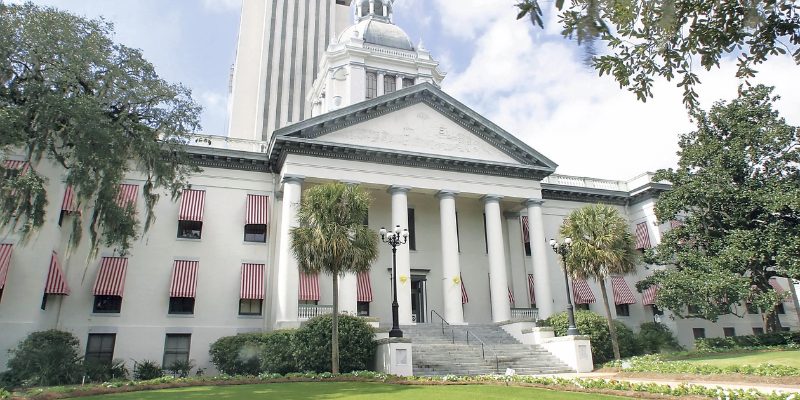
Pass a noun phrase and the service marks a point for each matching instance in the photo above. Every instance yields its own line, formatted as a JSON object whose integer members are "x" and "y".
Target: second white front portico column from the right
{"x": 501, "y": 309}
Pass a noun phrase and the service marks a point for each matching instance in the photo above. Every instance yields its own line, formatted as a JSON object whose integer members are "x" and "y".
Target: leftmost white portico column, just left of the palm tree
{"x": 288, "y": 275}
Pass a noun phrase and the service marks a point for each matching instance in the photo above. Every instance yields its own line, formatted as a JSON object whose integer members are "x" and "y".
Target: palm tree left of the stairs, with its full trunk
{"x": 332, "y": 239}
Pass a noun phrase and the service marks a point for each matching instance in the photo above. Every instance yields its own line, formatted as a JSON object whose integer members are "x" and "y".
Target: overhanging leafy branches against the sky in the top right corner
{"x": 666, "y": 38}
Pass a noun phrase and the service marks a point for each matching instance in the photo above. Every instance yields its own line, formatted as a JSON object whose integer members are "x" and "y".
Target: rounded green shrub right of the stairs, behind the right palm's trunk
{"x": 596, "y": 327}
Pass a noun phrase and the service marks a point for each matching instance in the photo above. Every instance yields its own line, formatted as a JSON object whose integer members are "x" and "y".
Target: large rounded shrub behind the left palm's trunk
{"x": 312, "y": 344}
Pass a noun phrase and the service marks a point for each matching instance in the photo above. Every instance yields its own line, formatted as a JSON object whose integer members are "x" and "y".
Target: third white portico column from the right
{"x": 451, "y": 270}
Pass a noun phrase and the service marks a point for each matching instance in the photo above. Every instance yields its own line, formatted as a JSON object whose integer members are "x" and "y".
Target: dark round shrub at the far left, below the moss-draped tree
{"x": 46, "y": 358}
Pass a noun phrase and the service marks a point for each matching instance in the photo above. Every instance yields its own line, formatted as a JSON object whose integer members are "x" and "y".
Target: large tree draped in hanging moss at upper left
{"x": 97, "y": 110}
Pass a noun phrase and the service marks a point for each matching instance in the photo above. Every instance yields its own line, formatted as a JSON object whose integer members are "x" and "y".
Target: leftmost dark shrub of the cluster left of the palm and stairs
{"x": 239, "y": 354}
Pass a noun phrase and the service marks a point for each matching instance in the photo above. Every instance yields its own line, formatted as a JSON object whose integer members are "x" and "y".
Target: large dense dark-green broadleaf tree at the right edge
{"x": 736, "y": 191}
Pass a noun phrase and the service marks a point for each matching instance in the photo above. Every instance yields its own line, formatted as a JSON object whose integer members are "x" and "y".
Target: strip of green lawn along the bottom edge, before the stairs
{"x": 352, "y": 391}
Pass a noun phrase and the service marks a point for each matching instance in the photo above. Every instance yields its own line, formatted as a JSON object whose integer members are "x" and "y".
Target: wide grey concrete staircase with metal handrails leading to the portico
{"x": 437, "y": 354}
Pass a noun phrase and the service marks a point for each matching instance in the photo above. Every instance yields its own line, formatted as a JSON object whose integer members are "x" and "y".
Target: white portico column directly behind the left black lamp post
{"x": 400, "y": 217}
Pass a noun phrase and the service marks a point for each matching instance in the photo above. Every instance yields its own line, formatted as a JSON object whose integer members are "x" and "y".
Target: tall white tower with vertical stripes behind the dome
{"x": 280, "y": 45}
